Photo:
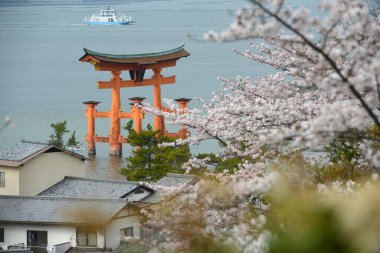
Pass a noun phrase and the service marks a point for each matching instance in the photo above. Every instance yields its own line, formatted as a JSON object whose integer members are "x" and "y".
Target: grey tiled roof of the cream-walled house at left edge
{"x": 23, "y": 151}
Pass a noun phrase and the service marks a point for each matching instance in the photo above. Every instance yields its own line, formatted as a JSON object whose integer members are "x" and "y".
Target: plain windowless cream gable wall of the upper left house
{"x": 46, "y": 170}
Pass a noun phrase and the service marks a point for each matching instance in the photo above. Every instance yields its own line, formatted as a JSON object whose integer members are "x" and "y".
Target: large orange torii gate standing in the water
{"x": 136, "y": 64}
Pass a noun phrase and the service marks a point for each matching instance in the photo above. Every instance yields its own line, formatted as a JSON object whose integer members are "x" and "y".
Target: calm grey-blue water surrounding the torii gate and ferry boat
{"x": 42, "y": 81}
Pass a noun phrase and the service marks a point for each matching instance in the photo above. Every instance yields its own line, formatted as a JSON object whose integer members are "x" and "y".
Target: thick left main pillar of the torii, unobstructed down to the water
{"x": 115, "y": 145}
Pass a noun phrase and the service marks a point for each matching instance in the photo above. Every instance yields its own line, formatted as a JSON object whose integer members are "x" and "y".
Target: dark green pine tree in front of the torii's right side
{"x": 150, "y": 159}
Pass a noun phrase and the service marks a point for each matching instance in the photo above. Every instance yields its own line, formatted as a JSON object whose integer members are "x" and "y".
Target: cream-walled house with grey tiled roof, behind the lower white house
{"x": 28, "y": 168}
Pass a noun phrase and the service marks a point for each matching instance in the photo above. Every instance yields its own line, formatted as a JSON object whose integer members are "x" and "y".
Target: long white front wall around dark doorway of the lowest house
{"x": 16, "y": 233}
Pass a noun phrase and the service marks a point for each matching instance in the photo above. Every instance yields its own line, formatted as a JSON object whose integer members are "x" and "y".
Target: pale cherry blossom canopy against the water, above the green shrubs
{"x": 328, "y": 80}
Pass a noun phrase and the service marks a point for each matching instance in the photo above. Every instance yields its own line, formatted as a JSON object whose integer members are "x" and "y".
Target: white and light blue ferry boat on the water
{"x": 108, "y": 17}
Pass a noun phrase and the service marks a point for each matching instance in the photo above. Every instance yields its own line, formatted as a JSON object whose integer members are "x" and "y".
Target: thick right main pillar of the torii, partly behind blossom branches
{"x": 158, "y": 121}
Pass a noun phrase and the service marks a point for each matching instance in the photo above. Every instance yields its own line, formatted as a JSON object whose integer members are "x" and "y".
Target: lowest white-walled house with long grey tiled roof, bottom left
{"x": 50, "y": 222}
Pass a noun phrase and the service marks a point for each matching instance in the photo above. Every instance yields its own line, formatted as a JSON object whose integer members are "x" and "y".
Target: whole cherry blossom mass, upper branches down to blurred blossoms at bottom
{"x": 327, "y": 84}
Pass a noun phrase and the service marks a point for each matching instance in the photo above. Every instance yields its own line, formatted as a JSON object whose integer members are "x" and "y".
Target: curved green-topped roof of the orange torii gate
{"x": 145, "y": 58}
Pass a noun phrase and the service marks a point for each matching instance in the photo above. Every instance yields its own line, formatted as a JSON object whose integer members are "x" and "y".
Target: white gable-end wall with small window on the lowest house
{"x": 113, "y": 230}
